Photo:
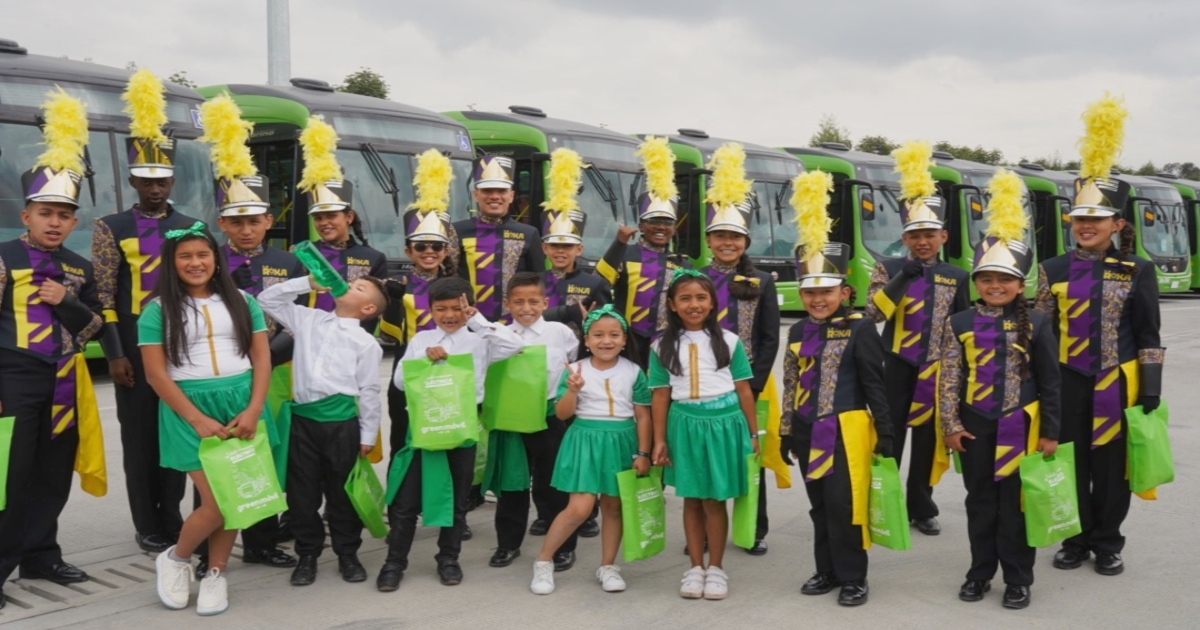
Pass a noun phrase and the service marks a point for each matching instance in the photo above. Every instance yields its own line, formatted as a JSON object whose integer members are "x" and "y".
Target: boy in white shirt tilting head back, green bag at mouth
{"x": 335, "y": 415}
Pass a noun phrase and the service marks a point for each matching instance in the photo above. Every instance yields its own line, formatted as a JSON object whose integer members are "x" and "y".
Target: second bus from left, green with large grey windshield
{"x": 379, "y": 141}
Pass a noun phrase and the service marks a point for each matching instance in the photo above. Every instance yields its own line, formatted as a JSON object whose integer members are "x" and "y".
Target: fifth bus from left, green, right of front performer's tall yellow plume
{"x": 865, "y": 207}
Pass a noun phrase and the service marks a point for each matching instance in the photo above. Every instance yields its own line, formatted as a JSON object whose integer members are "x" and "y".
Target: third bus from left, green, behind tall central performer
{"x": 529, "y": 136}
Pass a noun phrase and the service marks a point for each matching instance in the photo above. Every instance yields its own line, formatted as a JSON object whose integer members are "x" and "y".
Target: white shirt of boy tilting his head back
{"x": 333, "y": 355}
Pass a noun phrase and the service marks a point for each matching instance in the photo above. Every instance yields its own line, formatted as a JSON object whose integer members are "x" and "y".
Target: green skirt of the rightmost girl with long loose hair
{"x": 707, "y": 445}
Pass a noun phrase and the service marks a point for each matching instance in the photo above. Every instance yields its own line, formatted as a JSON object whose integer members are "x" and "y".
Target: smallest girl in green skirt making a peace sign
{"x": 609, "y": 397}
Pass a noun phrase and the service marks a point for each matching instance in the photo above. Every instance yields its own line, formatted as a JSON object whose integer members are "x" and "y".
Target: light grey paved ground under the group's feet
{"x": 909, "y": 590}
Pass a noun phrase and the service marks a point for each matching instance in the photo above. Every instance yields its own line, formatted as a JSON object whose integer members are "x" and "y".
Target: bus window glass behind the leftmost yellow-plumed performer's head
{"x": 21, "y": 147}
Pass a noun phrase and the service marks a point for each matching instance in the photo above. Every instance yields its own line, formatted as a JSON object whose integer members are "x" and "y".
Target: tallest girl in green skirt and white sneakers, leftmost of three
{"x": 207, "y": 357}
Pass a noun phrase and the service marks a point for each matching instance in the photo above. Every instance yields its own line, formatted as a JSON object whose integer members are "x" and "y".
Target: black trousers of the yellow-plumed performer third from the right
{"x": 901, "y": 381}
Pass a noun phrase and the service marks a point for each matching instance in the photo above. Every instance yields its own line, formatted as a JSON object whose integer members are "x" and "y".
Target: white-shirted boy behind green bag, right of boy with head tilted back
{"x": 461, "y": 329}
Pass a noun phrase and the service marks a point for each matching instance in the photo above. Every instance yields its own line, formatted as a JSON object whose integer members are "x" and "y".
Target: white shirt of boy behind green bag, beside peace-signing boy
{"x": 485, "y": 341}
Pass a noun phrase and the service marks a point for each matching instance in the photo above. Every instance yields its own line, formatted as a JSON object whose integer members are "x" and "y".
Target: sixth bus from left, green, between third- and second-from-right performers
{"x": 964, "y": 184}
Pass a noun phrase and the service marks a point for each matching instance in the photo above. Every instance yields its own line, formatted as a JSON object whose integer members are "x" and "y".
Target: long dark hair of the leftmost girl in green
{"x": 173, "y": 301}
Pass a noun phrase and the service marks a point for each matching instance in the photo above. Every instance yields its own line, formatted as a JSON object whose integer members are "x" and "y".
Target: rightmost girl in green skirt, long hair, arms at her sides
{"x": 705, "y": 413}
